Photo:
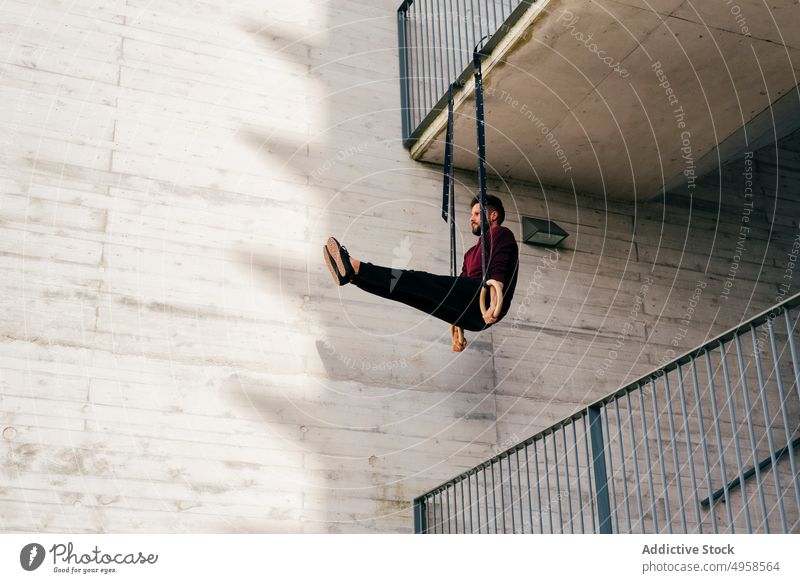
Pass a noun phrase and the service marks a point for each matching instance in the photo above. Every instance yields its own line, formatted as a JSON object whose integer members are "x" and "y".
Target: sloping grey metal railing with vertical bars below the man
{"x": 706, "y": 443}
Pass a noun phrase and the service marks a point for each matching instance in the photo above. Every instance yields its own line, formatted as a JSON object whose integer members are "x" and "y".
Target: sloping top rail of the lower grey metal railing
{"x": 760, "y": 318}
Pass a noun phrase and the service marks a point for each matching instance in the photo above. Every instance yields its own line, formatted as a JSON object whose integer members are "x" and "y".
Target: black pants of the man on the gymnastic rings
{"x": 452, "y": 299}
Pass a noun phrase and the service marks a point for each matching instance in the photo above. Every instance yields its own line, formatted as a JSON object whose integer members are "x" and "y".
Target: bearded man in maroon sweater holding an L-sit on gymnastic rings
{"x": 456, "y": 300}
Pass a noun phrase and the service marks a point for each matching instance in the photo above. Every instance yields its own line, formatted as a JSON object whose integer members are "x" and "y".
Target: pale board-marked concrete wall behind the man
{"x": 174, "y": 356}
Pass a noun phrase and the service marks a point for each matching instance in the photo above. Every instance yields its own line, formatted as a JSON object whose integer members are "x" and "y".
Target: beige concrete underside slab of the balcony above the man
{"x": 617, "y": 98}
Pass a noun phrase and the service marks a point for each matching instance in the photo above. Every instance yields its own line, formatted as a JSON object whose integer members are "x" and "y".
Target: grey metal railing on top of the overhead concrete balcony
{"x": 436, "y": 39}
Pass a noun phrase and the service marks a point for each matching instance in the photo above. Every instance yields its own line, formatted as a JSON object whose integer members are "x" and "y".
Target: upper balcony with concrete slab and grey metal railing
{"x": 621, "y": 99}
